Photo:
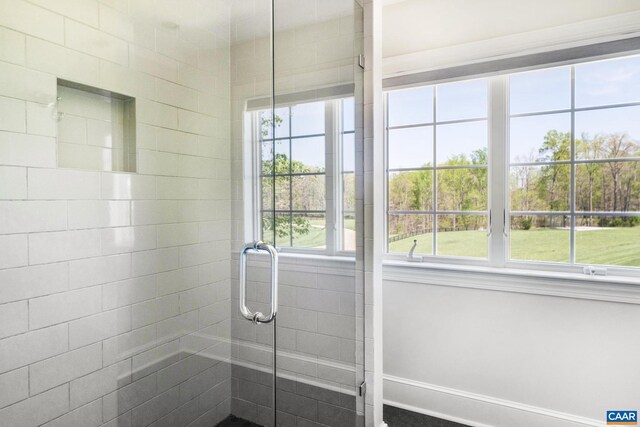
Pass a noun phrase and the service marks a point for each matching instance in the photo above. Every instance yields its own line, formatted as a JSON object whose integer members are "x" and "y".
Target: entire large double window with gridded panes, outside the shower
{"x": 568, "y": 192}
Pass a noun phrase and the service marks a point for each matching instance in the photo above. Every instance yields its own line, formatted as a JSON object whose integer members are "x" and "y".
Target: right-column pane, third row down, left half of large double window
{"x": 462, "y": 189}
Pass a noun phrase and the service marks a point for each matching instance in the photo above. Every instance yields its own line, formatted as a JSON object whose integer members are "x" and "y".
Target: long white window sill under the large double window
{"x": 567, "y": 285}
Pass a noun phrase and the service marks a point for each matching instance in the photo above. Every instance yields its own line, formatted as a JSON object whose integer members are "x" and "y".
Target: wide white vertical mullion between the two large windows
{"x": 498, "y": 170}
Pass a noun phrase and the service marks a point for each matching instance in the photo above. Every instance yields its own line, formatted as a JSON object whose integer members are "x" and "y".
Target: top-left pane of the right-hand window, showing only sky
{"x": 544, "y": 90}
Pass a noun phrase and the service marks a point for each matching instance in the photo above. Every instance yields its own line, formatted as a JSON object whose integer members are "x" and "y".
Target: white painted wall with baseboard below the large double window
{"x": 563, "y": 357}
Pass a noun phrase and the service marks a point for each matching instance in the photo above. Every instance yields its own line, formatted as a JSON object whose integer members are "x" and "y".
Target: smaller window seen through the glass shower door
{"x": 306, "y": 154}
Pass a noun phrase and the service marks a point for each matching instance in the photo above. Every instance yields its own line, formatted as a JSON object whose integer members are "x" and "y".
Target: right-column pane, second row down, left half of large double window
{"x": 462, "y": 143}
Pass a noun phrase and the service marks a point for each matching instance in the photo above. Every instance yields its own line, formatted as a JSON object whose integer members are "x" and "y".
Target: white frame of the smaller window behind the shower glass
{"x": 333, "y": 181}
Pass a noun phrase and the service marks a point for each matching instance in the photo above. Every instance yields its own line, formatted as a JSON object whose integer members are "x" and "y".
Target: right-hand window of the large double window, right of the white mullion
{"x": 574, "y": 173}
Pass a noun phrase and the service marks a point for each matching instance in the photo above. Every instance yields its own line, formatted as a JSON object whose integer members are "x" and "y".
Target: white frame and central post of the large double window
{"x": 498, "y": 170}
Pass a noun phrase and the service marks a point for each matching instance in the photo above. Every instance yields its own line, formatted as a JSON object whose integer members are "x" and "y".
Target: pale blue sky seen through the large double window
{"x": 599, "y": 83}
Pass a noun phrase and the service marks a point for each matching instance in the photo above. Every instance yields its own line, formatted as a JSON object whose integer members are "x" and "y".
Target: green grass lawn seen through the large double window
{"x": 611, "y": 246}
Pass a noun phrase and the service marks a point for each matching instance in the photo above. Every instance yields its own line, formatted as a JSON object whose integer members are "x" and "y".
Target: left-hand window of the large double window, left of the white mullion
{"x": 438, "y": 170}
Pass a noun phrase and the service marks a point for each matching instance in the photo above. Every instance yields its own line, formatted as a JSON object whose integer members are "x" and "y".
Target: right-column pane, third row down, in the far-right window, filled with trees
{"x": 608, "y": 187}
